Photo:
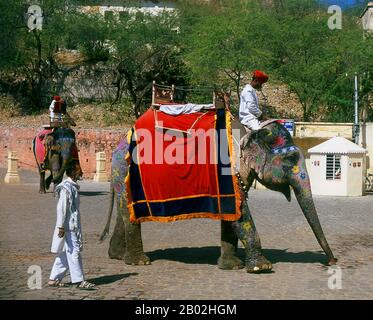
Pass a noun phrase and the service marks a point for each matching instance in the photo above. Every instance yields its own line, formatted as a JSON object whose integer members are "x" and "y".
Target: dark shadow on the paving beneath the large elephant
{"x": 210, "y": 255}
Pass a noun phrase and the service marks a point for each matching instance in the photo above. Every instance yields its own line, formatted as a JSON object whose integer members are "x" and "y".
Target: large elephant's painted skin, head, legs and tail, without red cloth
{"x": 275, "y": 170}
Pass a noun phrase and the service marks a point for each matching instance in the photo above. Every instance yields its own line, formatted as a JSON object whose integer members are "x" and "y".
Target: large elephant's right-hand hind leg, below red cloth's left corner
{"x": 134, "y": 253}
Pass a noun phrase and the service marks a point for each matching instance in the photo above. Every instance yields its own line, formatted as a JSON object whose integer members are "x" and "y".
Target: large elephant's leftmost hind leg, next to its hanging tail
{"x": 117, "y": 247}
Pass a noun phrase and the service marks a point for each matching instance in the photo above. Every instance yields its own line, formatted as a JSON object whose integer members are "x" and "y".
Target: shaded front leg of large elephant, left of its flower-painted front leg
{"x": 229, "y": 241}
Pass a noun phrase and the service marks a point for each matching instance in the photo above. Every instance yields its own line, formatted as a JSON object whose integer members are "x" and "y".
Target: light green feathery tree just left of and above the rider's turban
{"x": 222, "y": 42}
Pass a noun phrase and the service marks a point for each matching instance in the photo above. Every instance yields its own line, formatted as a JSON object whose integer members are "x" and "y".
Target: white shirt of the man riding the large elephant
{"x": 249, "y": 108}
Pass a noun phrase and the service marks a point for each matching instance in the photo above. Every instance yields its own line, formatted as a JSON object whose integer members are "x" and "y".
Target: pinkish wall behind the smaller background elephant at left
{"x": 89, "y": 142}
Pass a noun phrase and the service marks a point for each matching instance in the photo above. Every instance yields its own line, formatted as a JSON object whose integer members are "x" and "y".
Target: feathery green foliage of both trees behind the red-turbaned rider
{"x": 290, "y": 40}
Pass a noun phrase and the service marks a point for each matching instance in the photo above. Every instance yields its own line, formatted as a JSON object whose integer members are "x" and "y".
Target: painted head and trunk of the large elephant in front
{"x": 270, "y": 156}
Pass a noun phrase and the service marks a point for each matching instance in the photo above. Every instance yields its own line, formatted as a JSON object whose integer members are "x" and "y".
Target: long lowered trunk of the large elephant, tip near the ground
{"x": 305, "y": 200}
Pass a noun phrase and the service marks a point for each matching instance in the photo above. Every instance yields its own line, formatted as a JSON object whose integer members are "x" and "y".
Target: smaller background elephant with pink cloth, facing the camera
{"x": 53, "y": 150}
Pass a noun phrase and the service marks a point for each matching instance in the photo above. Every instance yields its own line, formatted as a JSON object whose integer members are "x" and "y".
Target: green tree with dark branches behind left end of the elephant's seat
{"x": 145, "y": 48}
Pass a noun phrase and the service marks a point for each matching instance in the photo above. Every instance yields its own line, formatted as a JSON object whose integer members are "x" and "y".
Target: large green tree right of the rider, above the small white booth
{"x": 317, "y": 63}
